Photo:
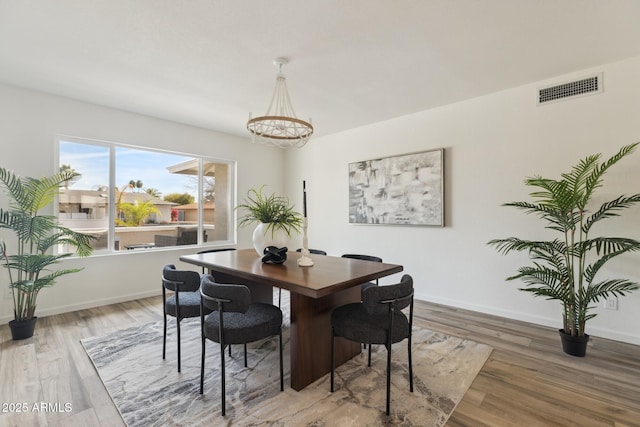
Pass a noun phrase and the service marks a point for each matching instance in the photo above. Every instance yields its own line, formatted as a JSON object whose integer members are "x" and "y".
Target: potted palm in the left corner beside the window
{"x": 30, "y": 267}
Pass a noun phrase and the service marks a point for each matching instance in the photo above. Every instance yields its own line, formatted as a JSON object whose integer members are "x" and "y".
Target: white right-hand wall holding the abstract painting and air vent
{"x": 491, "y": 144}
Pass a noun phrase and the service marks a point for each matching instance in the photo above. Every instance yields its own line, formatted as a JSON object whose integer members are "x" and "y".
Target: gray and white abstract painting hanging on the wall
{"x": 406, "y": 189}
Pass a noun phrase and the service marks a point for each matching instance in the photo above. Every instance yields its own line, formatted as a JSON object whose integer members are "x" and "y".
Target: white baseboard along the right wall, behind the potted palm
{"x": 538, "y": 320}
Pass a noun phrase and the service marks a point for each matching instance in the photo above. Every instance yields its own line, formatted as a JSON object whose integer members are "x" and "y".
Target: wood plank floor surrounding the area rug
{"x": 527, "y": 381}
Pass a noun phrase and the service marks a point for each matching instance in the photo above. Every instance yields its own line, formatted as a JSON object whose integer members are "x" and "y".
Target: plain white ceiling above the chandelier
{"x": 209, "y": 63}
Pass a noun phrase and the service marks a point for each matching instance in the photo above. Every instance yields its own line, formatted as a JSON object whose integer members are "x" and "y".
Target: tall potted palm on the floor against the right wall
{"x": 565, "y": 268}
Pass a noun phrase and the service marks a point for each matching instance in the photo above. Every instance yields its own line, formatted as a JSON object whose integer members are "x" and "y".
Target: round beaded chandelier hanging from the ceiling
{"x": 280, "y": 127}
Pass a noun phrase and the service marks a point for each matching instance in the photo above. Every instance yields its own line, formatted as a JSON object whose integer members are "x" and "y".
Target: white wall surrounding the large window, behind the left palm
{"x": 29, "y": 123}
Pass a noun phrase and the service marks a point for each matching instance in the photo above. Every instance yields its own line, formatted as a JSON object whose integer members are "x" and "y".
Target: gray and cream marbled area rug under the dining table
{"x": 149, "y": 391}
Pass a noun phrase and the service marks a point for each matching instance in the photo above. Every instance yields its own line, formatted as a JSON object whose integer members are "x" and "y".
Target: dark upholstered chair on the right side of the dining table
{"x": 378, "y": 319}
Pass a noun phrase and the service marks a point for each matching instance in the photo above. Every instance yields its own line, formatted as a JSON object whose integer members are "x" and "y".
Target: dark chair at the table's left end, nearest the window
{"x": 184, "y": 303}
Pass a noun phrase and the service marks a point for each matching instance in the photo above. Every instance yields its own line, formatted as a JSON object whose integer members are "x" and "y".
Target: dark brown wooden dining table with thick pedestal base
{"x": 315, "y": 291}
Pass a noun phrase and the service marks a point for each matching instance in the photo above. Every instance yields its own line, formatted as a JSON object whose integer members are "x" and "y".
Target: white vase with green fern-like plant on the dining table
{"x": 274, "y": 216}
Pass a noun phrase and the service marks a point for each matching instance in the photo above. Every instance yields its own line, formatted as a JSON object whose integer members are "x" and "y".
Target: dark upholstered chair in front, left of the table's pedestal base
{"x": 235, "y": 320}
